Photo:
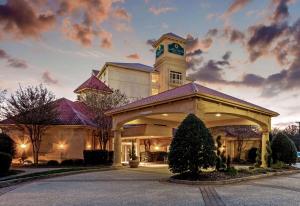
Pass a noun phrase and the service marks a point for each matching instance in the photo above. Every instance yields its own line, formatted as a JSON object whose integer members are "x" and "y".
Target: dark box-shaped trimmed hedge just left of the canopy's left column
{"x": 97, "y": 157}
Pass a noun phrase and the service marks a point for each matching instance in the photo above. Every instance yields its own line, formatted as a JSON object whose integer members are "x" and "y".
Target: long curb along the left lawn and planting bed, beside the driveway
{"x": 7, "y": 183}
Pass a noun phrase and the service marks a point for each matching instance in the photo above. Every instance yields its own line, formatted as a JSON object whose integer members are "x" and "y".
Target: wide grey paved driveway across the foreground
{"x": 143, "y": 186}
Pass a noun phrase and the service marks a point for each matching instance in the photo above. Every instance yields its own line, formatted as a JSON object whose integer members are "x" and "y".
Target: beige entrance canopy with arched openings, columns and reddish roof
{"x": 171, "y": 107}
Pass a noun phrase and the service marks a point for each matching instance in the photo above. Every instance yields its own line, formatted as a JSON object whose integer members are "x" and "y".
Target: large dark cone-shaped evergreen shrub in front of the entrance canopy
{"x": 192, "y": 148}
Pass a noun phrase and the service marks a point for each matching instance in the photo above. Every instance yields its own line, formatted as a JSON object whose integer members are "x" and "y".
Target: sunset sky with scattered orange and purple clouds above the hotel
{"x": 249, "y": 49}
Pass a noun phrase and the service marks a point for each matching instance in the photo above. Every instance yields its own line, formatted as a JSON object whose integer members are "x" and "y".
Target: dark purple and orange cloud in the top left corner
{"x": 19, "y": 19}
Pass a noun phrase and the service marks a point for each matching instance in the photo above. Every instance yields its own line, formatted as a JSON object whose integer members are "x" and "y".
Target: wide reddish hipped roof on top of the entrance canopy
{"x": 188, "y": 90}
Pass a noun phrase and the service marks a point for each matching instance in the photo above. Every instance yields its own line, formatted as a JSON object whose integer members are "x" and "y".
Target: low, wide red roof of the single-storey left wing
{"x": 69, "y": 113}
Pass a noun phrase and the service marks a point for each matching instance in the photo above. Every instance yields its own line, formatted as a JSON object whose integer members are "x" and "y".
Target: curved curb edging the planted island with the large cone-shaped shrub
{"x": 232, "y": 181}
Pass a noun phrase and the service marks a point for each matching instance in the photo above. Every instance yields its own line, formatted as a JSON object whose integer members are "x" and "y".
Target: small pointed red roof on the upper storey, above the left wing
{"x": 93, "y": 83}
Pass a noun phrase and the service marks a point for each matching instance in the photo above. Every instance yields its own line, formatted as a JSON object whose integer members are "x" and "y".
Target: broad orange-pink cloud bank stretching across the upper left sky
{"x": 79, "y": 21}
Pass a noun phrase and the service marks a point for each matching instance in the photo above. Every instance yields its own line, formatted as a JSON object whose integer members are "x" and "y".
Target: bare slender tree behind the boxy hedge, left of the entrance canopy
{"x": 99, "y": 103}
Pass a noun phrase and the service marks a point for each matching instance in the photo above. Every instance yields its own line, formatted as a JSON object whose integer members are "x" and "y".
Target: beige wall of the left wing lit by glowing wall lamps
{"x": 73, "y": 139}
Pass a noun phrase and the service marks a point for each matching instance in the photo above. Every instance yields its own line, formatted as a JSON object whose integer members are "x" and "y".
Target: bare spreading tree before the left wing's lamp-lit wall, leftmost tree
{"x": 33, "y": 110}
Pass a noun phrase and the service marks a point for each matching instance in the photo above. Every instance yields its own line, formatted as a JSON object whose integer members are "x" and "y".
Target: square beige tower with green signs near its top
{"x": 170, "y": 63}
